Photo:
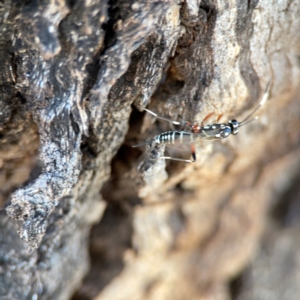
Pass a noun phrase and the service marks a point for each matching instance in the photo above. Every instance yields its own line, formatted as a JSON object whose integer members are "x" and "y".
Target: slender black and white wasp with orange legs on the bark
{"x": 215, "y": 131}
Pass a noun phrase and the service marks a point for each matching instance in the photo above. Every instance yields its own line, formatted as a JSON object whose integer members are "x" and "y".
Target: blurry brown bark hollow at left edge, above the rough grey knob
{"x": 16, "y": 123}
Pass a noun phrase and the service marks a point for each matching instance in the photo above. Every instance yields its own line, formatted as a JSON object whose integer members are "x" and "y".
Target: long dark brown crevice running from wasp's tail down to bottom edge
{"x": 111, "y": 238}
